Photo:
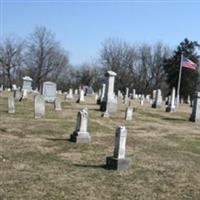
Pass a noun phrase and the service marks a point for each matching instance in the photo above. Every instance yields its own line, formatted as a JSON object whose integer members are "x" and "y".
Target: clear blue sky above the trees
{"x": 82, "y": 26}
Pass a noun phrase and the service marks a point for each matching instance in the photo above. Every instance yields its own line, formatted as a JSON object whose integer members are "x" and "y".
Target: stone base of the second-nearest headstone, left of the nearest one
{"x": 79, "y": 137}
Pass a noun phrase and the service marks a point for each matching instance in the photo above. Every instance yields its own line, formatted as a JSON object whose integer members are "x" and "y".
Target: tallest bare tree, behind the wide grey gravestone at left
{"x": 44, "y": 57}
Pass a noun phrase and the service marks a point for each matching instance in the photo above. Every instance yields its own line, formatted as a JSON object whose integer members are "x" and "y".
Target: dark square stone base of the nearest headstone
{"x": 117, "y": 164}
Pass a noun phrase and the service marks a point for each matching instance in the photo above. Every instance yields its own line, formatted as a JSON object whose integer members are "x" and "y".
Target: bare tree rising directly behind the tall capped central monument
{"x": 120, "y": 57}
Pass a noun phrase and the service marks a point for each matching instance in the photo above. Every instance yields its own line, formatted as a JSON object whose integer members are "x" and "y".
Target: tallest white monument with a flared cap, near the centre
{"x": 109, "y": 102}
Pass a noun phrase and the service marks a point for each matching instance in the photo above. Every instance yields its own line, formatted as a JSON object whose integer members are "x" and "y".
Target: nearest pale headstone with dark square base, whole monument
{"x": 118, "y": 160}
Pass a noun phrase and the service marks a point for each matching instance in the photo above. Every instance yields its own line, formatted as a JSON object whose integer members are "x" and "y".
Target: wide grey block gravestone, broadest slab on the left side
{"x": 49, "y": 91}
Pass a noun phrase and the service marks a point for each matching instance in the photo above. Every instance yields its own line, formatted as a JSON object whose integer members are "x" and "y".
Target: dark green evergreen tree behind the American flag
{"x": 172, "y": 66}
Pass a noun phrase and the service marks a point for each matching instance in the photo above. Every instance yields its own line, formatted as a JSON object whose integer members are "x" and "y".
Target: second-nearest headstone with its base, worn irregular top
{"x": 81, "y": 135}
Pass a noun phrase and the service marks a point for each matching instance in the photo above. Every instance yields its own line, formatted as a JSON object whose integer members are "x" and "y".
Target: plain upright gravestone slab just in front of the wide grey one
{"x": 39, "y": 106}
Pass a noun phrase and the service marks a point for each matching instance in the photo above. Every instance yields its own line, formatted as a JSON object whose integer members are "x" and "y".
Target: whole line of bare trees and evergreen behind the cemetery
{"x": 143, "y": 67}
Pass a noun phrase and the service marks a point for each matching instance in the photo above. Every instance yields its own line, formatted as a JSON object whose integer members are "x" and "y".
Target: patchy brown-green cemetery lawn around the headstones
{"x": 37, "y": 161}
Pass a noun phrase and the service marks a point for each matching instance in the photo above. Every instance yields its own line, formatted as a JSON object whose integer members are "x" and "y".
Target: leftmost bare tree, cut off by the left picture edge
{"x": 10, "y": 59}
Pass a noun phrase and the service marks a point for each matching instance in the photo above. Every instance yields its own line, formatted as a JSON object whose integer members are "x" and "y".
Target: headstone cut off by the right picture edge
{"x": 195, "y": 116}
